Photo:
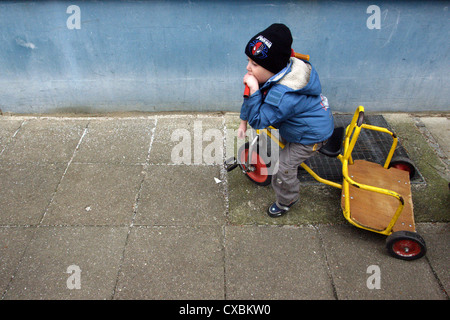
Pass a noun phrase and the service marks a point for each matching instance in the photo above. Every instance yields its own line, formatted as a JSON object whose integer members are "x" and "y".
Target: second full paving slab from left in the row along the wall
{"x": 112, "y": 140}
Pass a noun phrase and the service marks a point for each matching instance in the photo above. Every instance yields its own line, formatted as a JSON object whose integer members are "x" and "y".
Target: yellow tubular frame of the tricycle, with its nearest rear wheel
{"x": 402, "y": 244}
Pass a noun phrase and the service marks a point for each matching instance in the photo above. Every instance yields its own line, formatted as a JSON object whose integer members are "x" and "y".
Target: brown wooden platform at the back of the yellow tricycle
{"x": 375, "y": 210}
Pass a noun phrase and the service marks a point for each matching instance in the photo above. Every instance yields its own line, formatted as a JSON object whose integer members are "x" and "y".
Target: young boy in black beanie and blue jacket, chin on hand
{"x": 285, "y": 93}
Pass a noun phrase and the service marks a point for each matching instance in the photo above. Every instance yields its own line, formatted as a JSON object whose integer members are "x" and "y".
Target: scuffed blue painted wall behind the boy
{"x": 188, "y": 55}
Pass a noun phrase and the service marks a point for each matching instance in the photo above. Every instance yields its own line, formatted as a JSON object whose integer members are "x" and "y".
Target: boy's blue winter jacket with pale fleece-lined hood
{"x": 292, "y": 102}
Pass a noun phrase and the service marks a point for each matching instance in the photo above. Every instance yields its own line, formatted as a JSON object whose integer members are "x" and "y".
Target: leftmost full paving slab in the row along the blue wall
{"x": 44, "y": 141}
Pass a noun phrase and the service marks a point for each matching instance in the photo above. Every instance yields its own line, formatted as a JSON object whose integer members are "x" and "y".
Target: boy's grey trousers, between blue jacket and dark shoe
{"x": 285, "y": 182}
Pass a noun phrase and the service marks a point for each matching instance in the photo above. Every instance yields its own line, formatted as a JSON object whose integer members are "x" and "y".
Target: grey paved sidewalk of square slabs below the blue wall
{"x": 96, "y": 208}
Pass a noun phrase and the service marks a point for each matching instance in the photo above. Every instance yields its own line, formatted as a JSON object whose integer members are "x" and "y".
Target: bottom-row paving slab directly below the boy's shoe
{"x": 269, "y": 262}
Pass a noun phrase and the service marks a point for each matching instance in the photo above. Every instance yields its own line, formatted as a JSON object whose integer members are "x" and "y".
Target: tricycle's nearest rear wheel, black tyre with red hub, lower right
{"x": 406, "y": 245}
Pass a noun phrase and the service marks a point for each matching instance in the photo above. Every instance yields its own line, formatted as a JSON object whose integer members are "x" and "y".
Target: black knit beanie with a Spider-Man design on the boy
{"x": 271, "y": 48}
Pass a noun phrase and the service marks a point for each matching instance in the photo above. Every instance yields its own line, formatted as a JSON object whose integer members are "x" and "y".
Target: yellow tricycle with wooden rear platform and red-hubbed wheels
{"x": 374, "y": 197}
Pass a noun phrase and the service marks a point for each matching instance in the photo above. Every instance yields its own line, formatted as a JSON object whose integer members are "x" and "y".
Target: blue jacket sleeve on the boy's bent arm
{"x": 261, "y": 113}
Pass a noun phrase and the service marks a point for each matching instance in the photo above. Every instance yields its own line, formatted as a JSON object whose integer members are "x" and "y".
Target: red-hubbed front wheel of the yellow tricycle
{"x": 259, "y": 164}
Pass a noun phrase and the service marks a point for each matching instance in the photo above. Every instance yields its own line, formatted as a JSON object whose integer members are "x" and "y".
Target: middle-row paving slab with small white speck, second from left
{"x": 96, "y": 194}
